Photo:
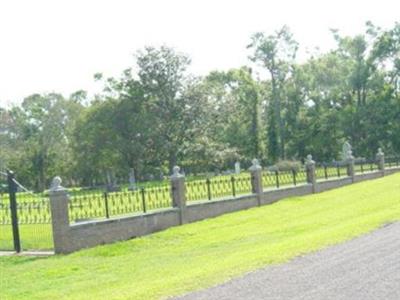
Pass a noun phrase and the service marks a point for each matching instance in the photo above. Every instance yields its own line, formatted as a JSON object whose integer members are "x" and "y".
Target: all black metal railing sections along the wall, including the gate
{"x": 33, "y": 210}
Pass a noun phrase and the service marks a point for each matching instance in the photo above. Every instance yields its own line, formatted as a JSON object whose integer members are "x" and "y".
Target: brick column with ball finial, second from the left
{"x": 178, "y": 189}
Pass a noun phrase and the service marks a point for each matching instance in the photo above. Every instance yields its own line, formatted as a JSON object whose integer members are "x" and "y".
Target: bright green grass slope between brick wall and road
{"x": 208, "y": 252}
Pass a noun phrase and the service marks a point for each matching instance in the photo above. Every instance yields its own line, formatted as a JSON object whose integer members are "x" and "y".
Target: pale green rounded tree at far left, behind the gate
{"x": 42, "y": 134}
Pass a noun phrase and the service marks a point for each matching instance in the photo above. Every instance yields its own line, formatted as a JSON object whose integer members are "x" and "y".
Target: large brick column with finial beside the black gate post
{"x": 59, "y": 216}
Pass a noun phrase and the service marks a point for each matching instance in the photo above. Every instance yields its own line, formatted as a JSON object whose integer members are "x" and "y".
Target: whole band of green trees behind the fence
{"x": 156, "y": 115}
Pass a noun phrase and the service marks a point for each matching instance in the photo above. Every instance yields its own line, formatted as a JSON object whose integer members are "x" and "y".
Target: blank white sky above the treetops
{"x": 57, "y": 45}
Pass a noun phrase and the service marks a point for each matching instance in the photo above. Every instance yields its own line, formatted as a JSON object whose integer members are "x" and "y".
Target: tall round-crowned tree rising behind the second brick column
{"x": 162, "y": 75}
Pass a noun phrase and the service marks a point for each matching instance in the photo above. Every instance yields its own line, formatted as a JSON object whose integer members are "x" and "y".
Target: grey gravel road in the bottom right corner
{"x": 364, "y": 268}
